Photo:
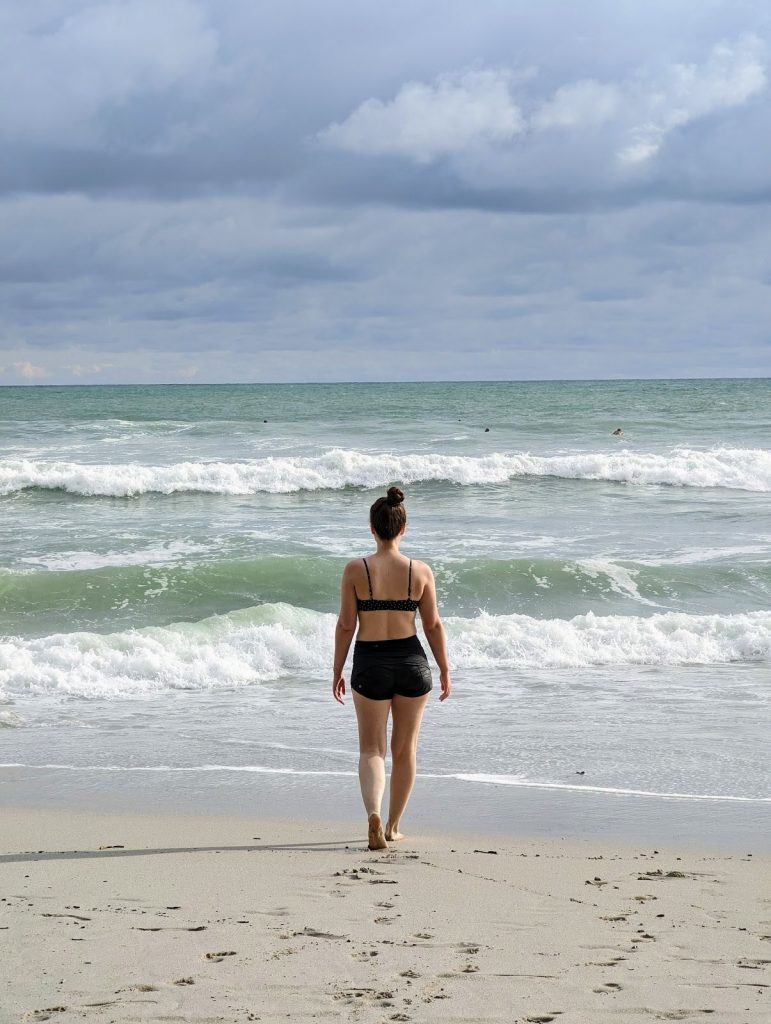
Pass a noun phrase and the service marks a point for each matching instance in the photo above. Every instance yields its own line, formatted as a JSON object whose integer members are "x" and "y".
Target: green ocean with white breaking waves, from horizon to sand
{"x": 169, "y": 572}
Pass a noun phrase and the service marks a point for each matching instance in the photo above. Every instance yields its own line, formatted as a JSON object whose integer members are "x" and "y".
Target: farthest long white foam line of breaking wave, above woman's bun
{"x": 748, "y": 470}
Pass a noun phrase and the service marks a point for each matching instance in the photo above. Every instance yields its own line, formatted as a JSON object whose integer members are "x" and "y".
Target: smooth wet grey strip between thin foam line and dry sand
{"x": 507, "y": 812}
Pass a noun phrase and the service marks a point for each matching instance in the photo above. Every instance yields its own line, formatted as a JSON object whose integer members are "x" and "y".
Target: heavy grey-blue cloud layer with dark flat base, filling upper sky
{"x": 191, "y": 98}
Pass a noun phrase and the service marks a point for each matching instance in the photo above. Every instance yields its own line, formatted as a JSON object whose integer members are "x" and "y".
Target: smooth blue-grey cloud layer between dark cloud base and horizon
{"x": 660, "y": 287}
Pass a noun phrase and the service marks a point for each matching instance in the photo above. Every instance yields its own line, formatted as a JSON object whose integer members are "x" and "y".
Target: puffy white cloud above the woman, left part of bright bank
{"x": 426, "y": 122}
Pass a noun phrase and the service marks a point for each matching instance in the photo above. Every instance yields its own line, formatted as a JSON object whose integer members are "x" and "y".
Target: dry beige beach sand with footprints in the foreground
{"x": 118, "y": 918}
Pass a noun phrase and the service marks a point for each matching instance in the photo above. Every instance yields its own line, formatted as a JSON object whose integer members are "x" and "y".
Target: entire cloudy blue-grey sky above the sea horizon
{"x": 199, "y": 191}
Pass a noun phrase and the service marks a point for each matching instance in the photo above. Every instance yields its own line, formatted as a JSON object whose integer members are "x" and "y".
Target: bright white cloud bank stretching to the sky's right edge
{"x": 587, "y": 131}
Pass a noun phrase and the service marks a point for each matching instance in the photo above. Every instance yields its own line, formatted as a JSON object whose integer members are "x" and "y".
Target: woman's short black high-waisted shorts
{"x": 384, "y": 669}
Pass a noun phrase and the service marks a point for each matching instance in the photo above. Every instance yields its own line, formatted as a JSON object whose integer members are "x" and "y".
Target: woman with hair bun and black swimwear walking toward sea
{"x": 391, "y": 670}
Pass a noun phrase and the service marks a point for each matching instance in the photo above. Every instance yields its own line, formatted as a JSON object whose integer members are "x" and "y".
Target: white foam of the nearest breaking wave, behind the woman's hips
{"x": 256, "y": 646}
